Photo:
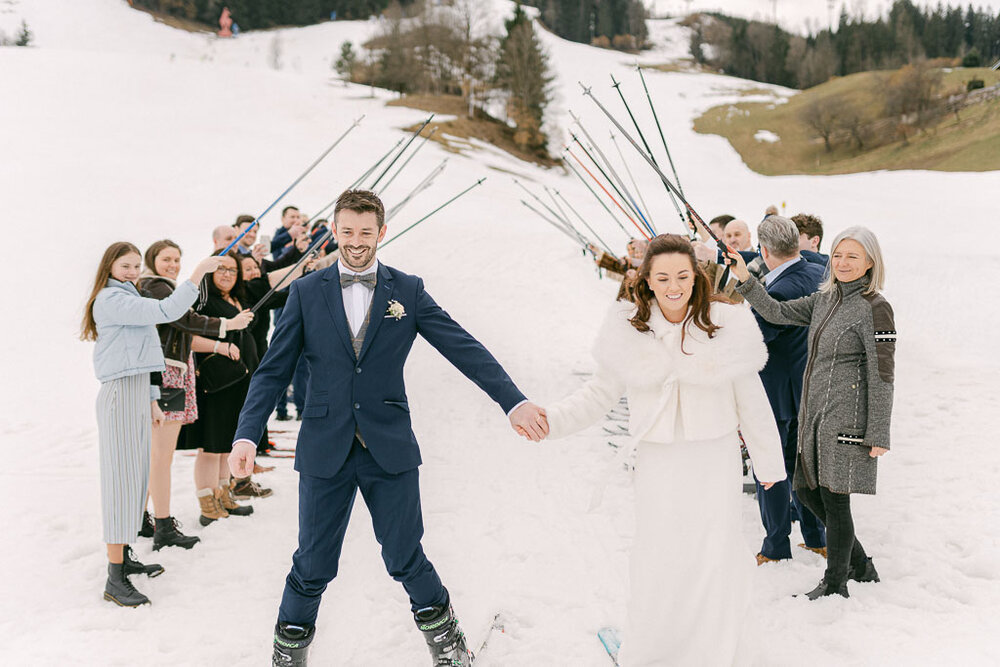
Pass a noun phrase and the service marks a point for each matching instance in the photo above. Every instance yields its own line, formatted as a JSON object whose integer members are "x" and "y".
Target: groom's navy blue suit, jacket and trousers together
{"x": 347, "y": 394}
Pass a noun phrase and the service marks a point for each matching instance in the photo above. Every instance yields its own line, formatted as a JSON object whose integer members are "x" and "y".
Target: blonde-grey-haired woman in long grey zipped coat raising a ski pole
{"x": 847, "y": 393}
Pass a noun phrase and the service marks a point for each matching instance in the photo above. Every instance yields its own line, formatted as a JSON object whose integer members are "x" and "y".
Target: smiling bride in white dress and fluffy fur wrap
{"x": 688, "y": 364}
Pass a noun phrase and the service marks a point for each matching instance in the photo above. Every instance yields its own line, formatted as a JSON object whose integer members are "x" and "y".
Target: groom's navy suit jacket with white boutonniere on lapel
{"x": 346, "y": 393}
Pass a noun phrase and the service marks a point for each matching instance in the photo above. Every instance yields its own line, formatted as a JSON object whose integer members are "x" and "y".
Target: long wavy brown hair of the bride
{"x": 699, "y": 307}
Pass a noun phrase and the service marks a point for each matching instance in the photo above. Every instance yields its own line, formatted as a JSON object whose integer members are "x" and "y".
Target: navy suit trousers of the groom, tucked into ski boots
{"x": 324, "y": 510}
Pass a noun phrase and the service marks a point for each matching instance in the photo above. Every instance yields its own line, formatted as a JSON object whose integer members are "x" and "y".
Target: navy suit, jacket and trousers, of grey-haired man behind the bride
{"x": 787, "y": 349}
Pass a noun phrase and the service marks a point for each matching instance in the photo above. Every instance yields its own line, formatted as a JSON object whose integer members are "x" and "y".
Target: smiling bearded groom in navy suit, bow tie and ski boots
{"x": 355, "y": 323}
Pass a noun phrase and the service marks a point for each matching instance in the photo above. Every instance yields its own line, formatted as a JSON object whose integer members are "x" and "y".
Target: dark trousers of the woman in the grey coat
{"x": 842, "y": 547}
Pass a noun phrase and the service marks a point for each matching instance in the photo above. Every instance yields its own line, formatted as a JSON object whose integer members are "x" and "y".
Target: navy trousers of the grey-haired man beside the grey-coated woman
{"x": 775, "y": 510}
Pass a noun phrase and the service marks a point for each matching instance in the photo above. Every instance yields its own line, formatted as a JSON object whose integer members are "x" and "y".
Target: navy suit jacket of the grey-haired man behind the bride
{"x": 787, "y": 345}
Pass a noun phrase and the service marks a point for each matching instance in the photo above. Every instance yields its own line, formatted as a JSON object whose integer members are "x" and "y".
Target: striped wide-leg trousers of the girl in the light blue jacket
{"x": 124, "y": 432}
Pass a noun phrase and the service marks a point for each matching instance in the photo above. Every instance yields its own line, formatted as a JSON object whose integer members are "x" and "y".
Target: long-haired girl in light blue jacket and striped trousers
{"x": 123, "y": 324}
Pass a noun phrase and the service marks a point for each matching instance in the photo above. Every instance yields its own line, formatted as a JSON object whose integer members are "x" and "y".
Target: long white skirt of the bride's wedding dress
{"x": 690, "y": 568}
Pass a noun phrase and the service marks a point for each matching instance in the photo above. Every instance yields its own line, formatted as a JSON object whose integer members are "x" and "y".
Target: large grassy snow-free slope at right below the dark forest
{"x": 970, "y": 142}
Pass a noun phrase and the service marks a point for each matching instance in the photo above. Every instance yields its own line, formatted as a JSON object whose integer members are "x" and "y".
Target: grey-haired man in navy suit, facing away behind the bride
{"x": 788, "y": 277}
